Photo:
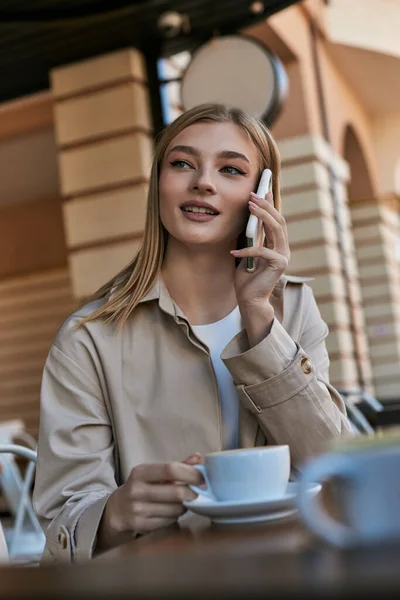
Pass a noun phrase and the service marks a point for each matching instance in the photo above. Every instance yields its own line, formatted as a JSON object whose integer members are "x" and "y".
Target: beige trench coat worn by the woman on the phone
{"x": 110, "y": 402}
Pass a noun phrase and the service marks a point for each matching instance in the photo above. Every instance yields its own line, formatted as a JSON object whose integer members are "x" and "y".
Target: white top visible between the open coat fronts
{"x": 216, "y": 336}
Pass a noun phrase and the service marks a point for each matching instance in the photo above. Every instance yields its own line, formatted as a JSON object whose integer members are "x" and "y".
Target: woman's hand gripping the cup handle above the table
{"x": 152, "y": 497}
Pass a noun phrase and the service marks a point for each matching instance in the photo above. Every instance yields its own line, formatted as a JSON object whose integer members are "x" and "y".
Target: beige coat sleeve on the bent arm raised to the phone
{"x": 286, "y": 385}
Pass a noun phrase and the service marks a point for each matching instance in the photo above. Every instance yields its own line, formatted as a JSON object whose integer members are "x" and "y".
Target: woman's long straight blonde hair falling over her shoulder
{"x": 132, "y": 284}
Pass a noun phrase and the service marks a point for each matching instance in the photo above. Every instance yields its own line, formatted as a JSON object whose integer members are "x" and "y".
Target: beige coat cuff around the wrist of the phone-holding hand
{"x": 261, "y": 362}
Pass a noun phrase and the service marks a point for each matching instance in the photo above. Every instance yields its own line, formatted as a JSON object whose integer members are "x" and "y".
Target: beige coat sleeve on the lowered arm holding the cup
{"x": 75, "y": 470}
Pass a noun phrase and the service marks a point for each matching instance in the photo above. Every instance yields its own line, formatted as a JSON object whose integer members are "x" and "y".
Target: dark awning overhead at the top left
{"x": 37, "y": 35}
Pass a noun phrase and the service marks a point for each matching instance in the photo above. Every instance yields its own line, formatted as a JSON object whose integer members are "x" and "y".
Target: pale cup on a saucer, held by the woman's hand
{"x": 257, "y": 474}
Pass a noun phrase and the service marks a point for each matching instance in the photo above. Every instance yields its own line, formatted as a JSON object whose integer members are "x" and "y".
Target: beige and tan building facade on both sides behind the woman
{"x": 75, "y": 162}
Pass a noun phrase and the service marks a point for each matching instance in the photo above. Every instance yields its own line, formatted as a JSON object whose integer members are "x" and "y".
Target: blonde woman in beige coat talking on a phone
{"x": 134, "y": 386}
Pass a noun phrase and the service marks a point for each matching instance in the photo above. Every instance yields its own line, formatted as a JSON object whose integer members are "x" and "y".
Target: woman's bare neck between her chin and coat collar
{"x": 201, "y": 282}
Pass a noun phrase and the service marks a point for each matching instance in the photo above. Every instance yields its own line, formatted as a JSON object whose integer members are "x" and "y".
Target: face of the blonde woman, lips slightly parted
{"x": 207, "y": 174}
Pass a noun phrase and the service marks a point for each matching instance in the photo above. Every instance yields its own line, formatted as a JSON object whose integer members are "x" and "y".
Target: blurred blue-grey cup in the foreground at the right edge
{"x": 366, "y": 478}
